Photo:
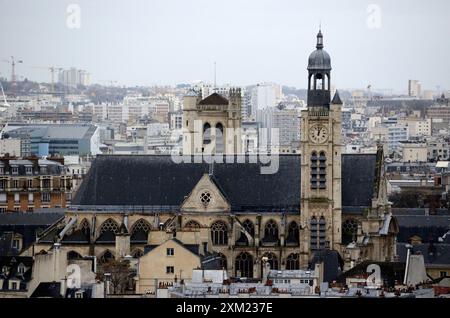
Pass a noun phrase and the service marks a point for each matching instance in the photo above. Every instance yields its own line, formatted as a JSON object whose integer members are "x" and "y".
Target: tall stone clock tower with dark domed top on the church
{"x": 320, "y": 160}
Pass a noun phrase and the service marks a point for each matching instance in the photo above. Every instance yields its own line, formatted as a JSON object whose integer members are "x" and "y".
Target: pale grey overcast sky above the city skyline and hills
{"x": 152, "y": 42}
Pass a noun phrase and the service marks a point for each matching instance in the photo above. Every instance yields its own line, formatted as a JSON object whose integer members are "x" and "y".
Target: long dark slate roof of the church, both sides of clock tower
{"x": 157, "y": 181}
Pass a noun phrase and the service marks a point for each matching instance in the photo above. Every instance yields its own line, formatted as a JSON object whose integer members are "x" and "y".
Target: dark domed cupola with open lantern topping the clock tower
{"x": 319, "y": 75}
